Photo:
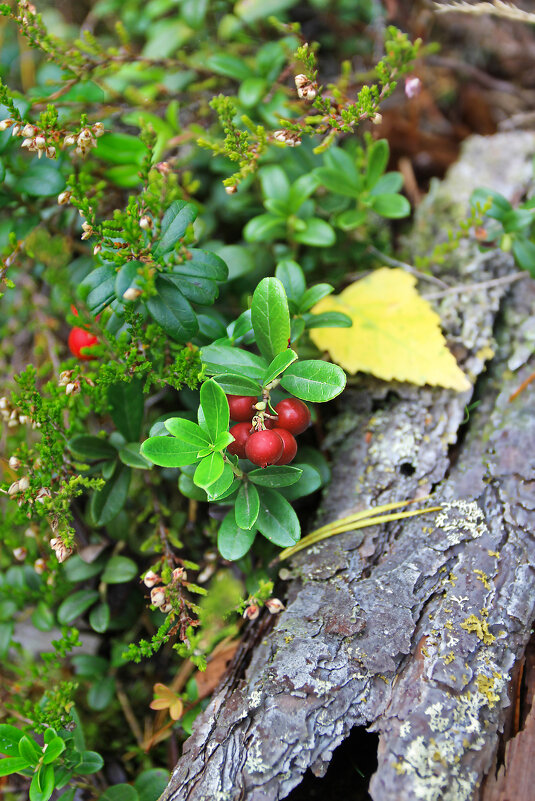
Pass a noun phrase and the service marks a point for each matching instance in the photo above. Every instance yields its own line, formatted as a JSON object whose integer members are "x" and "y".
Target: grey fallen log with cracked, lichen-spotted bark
{"x": 411, "y": 628}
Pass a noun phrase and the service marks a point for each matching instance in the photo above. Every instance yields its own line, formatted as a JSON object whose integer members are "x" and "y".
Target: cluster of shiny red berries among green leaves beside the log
{"x": 275, "y": 442}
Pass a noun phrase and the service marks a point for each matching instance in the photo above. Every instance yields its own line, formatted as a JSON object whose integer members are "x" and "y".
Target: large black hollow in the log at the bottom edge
{"x": 349, "y": 773}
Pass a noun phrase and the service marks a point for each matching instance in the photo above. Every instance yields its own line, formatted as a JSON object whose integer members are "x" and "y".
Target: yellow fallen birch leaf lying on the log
{"x": 395, "y": 333}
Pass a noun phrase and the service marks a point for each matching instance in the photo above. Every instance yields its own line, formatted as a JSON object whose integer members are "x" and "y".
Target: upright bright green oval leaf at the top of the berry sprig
{"x": 270, "y": 318}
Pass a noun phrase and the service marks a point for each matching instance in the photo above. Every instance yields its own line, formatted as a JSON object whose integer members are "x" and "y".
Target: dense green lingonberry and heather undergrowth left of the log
{"x": 158, "y": 303}
